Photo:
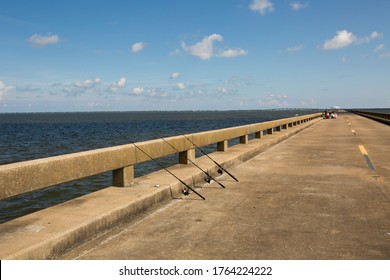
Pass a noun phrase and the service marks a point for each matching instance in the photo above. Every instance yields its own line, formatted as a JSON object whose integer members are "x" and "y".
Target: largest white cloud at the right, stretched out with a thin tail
{"x": 345, "y": 38}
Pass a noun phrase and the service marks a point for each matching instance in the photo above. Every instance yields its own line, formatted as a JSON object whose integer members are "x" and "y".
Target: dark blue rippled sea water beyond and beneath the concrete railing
{"x": 27, "y": 136}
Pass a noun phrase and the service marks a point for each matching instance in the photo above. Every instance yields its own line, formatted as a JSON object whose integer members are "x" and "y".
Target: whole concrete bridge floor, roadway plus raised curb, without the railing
{"x": 322, "y": 193}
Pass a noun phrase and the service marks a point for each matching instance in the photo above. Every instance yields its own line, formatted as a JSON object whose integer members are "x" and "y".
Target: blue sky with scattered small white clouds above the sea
{"x": 193, "y": 55}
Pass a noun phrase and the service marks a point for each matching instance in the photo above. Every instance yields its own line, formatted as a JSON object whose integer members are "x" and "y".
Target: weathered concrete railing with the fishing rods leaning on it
{"x": 26, "y": 176}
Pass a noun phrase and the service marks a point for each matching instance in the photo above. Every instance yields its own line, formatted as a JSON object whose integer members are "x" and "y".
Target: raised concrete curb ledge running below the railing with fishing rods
{"x": 48, "y": 233}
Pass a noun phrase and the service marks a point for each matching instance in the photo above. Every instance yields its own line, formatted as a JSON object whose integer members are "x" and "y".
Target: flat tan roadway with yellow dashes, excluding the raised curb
{"x": 322, "y": 194}
